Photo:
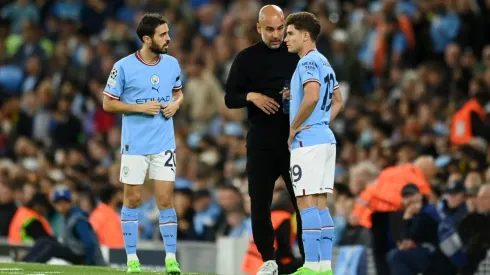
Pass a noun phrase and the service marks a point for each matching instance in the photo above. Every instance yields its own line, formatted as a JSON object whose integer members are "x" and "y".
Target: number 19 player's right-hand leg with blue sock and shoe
{"x": 326, "y": 240}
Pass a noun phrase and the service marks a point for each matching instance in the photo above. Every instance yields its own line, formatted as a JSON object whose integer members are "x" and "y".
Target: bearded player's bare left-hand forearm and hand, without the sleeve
{"x": 113, "y": 105}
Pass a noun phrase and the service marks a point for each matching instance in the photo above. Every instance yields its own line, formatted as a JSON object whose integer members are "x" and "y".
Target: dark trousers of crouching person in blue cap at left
{"x": 46, "y": 248}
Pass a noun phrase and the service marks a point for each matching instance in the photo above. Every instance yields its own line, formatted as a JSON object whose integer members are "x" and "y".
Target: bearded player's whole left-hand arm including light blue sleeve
{"x": 114, "y": 89}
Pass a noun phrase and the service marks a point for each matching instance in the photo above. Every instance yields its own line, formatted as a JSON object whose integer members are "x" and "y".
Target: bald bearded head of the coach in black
{"x": 271, "y": 25}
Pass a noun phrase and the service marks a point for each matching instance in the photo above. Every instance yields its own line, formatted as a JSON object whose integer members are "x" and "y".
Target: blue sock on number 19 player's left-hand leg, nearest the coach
{"x": 311, "y": 236}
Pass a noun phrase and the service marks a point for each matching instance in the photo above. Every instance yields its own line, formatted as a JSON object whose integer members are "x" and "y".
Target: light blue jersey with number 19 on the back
{"x": 313, "y": 67}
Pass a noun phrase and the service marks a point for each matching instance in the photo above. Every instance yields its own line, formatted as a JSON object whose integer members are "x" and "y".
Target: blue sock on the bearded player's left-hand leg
{"x": 129, "y": 223}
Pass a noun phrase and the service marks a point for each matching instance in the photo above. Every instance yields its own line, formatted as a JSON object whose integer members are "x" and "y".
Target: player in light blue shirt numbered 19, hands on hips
{"x": 315, "y": 100}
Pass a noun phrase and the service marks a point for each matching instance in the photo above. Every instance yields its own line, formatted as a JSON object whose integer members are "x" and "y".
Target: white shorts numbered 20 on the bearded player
{"x": 134, "y": 168}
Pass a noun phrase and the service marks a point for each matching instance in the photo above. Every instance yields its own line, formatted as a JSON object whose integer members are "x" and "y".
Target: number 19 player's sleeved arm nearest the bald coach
{"x": 309, "y": 74}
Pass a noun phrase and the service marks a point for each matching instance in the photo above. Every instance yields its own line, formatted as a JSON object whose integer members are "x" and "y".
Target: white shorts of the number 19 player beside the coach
{"x": 313, "y": 169}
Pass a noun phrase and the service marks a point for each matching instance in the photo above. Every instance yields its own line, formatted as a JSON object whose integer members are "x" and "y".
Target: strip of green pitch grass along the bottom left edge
{"x": 44, "y": 269}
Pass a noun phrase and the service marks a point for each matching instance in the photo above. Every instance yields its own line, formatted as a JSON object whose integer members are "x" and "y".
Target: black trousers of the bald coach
{"x": 263, "y": 168}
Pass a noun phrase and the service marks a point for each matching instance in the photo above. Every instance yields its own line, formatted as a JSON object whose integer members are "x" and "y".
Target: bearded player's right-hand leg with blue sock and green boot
{"x": 164, "y": 192}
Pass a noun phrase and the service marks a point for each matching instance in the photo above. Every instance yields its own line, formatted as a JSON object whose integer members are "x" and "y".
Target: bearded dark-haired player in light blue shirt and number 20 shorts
{"x": 145, "y": 87}
